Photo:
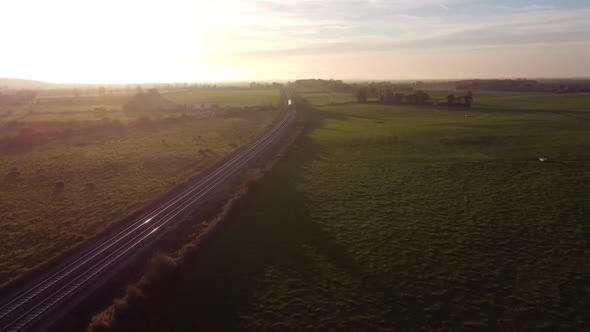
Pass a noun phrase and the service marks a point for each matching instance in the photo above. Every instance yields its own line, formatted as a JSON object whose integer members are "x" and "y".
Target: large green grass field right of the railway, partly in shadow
{"x": 405, "y": 218}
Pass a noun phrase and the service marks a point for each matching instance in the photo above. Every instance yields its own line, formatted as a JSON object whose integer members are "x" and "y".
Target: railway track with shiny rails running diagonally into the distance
{"x": 70, "y": 281}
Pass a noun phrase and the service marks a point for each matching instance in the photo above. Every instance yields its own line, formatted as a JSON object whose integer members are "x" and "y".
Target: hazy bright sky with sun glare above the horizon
{"x": 123, "y": 41}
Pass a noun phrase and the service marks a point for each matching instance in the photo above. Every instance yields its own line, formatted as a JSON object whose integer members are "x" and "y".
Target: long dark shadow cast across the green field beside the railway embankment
{"x": 273, "y": 231}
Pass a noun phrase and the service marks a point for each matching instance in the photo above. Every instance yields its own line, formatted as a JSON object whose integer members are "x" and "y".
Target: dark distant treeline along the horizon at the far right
{"x": 524, "y": 85}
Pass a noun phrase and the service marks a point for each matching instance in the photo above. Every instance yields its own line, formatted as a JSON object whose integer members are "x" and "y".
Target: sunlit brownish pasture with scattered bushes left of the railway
{"x": 107, "y": 176}
